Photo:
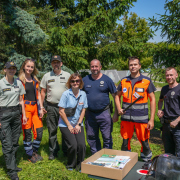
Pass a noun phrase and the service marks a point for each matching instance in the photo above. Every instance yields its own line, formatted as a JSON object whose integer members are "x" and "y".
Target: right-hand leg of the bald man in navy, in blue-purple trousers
{"x": 106, "y": 125}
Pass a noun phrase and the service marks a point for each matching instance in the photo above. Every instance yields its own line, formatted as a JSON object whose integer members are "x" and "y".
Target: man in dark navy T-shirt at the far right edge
{"x": 170, "y": 94}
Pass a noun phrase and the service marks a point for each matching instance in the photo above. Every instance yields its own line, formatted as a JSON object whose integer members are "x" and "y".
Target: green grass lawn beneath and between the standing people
{"x": 56, "y": 169}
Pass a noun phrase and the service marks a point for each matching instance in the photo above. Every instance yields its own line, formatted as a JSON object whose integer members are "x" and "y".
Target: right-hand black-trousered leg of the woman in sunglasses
{"x": 81, "y": 148}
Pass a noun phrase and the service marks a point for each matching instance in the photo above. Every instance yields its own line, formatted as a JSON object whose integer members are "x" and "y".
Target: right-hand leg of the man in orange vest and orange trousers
{"x": 143, "y": 135}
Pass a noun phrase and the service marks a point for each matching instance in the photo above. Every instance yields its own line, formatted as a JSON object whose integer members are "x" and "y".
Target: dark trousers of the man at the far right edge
{"x": 171, "y": 139}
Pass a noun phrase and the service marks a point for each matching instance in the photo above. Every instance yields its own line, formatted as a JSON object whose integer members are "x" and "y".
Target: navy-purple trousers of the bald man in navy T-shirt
{"x": 95, "y": 122}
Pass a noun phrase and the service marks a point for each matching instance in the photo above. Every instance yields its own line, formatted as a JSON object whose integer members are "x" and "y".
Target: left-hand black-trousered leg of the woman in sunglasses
{"x": 71, "y": 144}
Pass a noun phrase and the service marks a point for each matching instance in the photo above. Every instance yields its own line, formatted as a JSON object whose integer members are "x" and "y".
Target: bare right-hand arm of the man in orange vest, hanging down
{"x": 150, "y": 124}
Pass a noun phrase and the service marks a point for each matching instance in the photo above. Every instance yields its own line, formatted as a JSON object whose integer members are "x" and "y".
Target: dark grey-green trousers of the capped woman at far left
{"x": 10, "y": 131}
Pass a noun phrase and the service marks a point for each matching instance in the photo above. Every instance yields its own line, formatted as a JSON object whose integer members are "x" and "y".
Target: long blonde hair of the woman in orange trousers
{"x": 22, "y": 73}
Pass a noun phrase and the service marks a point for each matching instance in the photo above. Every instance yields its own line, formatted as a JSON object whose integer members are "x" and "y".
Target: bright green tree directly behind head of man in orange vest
{"x": 128, "y": 39}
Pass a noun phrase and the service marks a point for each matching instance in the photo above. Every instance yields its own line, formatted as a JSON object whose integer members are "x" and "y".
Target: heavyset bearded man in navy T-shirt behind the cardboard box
{"x": 97, "y": 87}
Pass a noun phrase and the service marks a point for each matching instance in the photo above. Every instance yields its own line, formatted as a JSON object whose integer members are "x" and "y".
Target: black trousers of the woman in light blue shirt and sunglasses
{"x": 76, "y": 147}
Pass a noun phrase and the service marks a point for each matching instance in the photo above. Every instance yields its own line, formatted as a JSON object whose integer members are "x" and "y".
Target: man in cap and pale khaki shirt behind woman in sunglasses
{"x": 54, "y": 83}
